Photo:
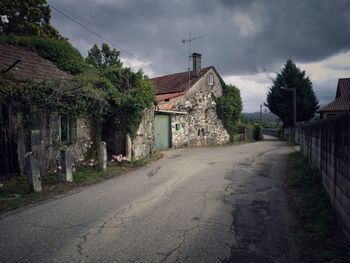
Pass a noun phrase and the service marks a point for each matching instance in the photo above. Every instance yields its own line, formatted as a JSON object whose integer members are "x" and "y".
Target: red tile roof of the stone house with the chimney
{"x": 175, "y": 83}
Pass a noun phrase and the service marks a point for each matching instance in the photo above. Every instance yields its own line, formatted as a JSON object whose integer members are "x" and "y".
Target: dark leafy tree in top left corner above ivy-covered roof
{"x": 30, "y": 17}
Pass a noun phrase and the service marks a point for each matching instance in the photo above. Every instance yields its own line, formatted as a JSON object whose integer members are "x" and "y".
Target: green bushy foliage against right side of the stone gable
{"x": 229, "y": 107}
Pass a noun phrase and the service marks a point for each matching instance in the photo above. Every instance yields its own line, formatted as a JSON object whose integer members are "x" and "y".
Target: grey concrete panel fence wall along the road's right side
{"x": 327, "y": 144}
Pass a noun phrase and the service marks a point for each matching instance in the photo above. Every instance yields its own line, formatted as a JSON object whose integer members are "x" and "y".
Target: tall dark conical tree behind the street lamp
{"x": 280, "y": 101}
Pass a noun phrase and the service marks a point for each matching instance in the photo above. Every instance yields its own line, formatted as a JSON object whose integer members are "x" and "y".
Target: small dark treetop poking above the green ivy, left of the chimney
{"x": 104, "y": 58}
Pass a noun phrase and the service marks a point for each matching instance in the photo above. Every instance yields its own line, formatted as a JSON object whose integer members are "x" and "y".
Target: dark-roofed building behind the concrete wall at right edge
{"x": 341, "y": 102}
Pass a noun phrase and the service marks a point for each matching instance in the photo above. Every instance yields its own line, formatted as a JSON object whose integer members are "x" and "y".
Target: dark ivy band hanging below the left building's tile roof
{"x": 59, "y": 97}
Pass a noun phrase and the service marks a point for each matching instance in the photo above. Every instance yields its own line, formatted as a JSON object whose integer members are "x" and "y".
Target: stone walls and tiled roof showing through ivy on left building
{"x": 50, "y": 132}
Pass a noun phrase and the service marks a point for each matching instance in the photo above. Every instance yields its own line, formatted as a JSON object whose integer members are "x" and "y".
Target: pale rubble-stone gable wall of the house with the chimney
{"x": 198, "y": 120}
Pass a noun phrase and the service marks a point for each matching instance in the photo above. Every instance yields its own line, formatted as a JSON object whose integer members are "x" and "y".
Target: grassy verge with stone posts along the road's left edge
{"x": 14, "y": 193}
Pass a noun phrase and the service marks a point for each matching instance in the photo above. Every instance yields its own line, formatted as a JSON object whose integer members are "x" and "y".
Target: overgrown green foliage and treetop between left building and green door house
{"x": 128, "y": 94}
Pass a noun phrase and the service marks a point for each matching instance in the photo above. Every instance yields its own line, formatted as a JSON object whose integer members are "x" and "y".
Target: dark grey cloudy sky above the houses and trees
{"x": 246, "y": 41}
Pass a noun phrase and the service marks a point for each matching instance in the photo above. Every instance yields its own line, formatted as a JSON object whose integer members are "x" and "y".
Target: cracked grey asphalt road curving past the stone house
{"x": 220, "y": 204}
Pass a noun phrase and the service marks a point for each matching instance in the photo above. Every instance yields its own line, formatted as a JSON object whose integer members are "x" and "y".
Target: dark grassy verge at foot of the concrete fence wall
{"x": 318, "y": 232}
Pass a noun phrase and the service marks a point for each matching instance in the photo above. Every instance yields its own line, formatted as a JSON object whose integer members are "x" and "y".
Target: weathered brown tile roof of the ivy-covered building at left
{"x": 31, "y": 65}
